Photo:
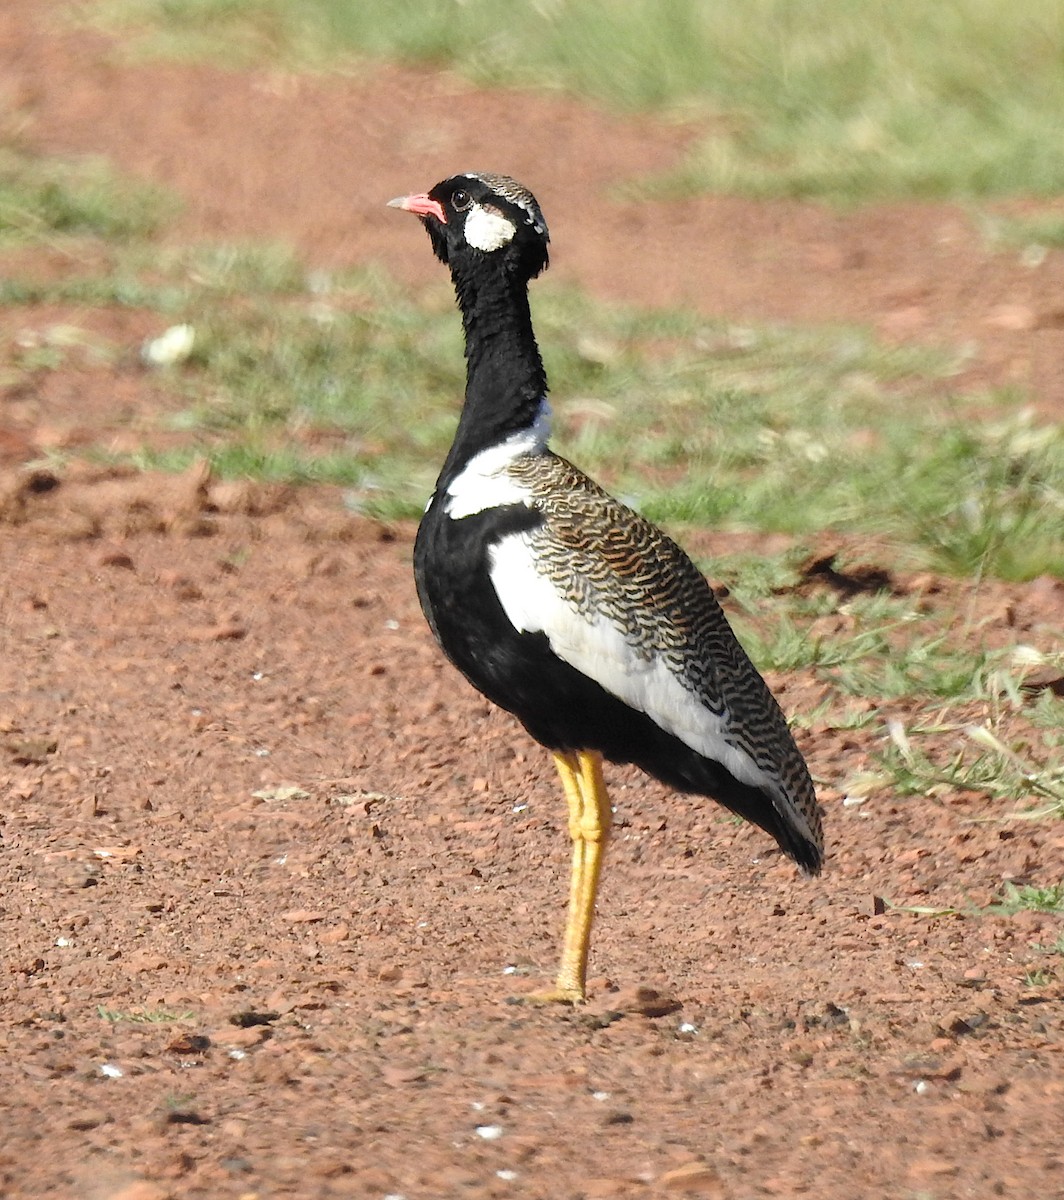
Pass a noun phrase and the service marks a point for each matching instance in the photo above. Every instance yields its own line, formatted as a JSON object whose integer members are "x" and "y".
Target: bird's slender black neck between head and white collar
{"x": 506, "y": 381}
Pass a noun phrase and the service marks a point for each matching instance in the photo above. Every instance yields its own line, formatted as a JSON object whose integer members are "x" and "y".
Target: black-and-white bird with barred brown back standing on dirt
{"x": 564, "y": 607}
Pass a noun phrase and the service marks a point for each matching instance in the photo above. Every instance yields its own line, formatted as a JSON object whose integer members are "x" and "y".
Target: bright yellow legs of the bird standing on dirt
{"x": 590, "y": 821}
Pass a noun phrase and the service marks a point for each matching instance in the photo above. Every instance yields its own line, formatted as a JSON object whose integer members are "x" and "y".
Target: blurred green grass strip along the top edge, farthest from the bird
{"x": 828, "y": 99}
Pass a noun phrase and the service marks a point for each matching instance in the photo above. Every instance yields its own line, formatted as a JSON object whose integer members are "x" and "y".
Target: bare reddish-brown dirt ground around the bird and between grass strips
{"x": 272, "y": 872}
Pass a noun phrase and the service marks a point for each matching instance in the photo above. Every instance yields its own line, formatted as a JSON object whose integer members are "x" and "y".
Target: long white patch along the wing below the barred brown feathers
{"x": 597, "y": 649}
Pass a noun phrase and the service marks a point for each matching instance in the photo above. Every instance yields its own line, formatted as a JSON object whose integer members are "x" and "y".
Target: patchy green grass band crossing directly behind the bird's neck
{"x": 351, "y": 380}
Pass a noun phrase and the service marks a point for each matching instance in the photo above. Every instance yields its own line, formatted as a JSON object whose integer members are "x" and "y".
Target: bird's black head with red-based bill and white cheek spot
{"x": 478, "y": 217}
